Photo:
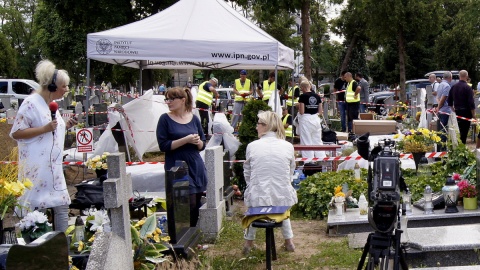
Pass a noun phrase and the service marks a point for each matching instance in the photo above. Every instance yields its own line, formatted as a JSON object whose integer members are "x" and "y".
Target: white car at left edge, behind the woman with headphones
{"x": 18, "y": 88}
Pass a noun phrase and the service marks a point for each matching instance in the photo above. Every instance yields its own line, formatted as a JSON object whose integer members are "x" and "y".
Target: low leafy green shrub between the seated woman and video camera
{"x": 316, "y": 191}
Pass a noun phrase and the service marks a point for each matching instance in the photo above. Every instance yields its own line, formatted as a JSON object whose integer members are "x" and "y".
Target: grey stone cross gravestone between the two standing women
{"x": 113, "y": 250}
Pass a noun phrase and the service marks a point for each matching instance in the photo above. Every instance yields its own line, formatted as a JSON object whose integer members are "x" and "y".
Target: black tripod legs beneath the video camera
{"x": 381, "y": 248}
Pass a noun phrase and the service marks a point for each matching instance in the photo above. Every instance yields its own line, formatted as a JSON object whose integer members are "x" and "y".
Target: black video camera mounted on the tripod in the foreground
{"x": 384, "y": 183}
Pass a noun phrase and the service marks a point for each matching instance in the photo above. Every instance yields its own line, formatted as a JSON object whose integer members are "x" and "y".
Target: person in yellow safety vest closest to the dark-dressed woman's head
{"x": 206, "y": 91}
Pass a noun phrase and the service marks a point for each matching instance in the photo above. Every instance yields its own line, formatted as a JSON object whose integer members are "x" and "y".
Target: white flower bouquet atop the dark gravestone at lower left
{"x": 34, "y": 225}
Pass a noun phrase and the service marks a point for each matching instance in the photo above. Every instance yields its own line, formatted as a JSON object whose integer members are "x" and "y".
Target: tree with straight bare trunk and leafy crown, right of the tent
{"x": 402, "y": 19}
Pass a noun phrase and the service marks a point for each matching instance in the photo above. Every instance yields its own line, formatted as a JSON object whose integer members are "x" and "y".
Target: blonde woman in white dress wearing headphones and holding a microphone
{"x": 40, "y": 136}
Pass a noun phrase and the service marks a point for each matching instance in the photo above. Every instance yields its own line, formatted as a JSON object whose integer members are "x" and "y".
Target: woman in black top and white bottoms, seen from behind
{"x": 310, "y": 107}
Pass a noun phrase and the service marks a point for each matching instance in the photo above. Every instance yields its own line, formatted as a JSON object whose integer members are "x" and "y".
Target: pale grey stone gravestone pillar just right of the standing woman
{"x": 213, "y": 212}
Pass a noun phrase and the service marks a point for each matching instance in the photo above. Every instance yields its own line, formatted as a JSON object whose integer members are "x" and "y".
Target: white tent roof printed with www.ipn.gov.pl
{"x": 191, "y": 34}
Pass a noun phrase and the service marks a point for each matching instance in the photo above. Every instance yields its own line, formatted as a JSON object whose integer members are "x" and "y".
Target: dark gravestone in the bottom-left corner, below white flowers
{"x": 50, "y": 251}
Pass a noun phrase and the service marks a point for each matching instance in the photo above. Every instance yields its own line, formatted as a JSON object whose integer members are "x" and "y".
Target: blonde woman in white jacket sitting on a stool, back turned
{"x": 268, "y": 172}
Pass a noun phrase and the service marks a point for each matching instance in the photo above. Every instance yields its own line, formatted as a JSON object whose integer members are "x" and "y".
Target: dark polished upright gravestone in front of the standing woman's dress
{"x": 182, "y": 237}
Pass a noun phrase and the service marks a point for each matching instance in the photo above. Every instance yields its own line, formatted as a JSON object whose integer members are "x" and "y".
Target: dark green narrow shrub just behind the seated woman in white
{"x": 247, "y": 133}
